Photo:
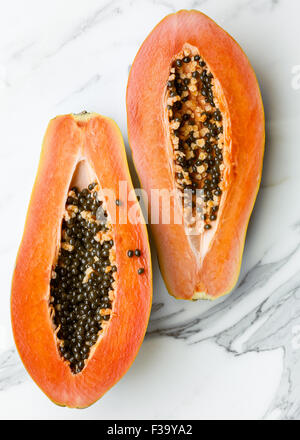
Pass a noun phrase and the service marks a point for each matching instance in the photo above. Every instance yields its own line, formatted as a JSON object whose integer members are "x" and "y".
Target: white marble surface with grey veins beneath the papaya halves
{"x": 238, "y": 357}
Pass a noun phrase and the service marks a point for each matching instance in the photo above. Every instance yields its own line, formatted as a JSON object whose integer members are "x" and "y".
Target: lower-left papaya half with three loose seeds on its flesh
{"x": 82, "y": 285}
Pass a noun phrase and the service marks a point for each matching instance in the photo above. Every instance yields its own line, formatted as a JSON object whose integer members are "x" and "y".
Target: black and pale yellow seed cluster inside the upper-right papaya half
{"x": 196, "y": 132}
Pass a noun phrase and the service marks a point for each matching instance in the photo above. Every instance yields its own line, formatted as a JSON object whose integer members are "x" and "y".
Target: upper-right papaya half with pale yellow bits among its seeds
{"x": 196, "y": 131}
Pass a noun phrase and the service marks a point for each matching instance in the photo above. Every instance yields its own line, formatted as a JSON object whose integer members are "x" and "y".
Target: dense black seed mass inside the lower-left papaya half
{"x": 84, "y": 277}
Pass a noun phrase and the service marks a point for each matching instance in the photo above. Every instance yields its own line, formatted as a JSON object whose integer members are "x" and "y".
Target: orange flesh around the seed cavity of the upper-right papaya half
{"x": 217, "y": 273}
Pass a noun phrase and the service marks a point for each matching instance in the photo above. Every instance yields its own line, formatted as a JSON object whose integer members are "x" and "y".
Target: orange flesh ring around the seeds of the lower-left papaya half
{"x": 70, "y": 138}
